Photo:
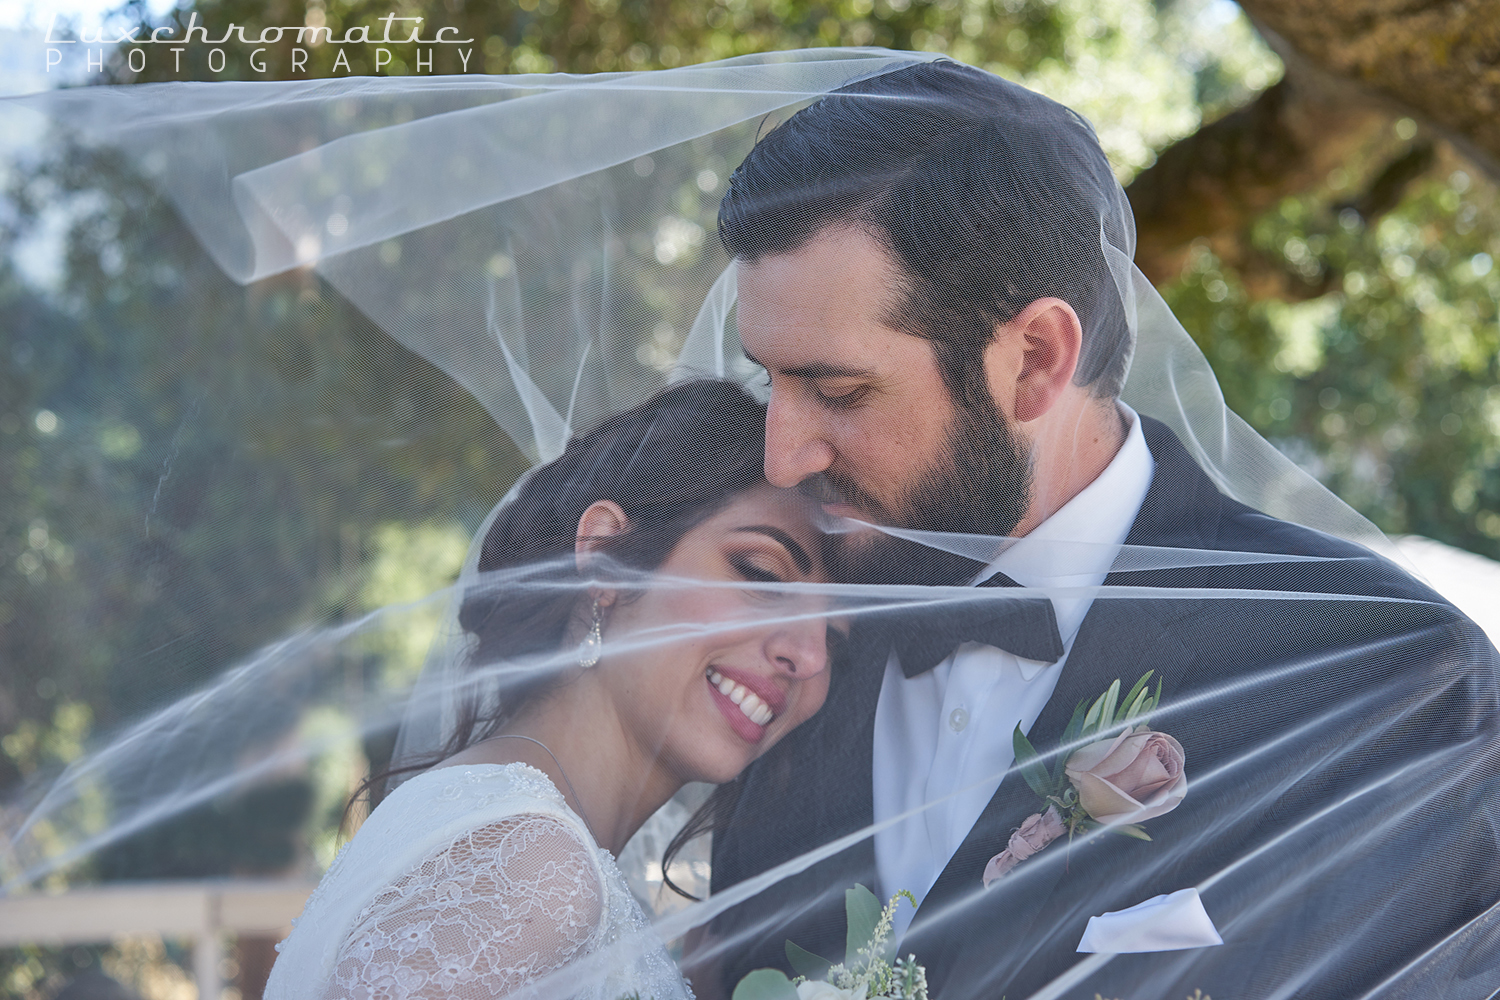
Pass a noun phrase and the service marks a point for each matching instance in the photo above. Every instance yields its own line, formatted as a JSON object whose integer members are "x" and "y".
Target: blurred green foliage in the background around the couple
{"x": 148, "y": 403}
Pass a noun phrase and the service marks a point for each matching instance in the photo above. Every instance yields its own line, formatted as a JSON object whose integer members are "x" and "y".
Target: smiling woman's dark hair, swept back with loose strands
{"x": 671, "y": 464}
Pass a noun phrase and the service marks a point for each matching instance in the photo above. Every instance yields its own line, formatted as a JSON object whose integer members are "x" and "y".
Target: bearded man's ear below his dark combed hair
{"x": 1033, "y": 358}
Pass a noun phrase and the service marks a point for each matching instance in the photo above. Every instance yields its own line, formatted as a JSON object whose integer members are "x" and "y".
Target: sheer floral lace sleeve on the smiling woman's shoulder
{"x": 502, "y": 906}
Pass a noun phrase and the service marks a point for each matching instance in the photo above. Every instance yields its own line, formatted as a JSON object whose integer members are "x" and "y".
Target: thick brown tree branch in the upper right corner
{"x": 1352, "y": 67}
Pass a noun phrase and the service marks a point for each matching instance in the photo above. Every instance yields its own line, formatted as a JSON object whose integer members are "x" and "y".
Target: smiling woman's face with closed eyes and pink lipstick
{"x": 709, "y": 678}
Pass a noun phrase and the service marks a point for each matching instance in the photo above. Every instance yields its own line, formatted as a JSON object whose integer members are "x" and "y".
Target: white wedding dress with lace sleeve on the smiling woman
{"x": 473, "y": 882}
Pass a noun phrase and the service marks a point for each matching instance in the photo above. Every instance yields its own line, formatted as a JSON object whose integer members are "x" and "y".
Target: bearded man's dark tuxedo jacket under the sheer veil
{"x": 1343, "y": 812}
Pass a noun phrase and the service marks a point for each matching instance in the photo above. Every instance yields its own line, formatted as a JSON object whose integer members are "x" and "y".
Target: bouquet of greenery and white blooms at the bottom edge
{"x": 868, "y": 972}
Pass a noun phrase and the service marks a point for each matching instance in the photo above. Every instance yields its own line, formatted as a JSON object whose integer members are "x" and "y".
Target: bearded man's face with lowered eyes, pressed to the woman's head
{"x": 860, "y": 413}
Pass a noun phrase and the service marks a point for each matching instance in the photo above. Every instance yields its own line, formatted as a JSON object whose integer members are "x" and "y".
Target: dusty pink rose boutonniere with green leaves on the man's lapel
{"x": 1120, "y": 780}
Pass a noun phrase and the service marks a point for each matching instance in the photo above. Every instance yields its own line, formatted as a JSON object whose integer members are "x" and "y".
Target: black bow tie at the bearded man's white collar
{"x": 925, "y": 636}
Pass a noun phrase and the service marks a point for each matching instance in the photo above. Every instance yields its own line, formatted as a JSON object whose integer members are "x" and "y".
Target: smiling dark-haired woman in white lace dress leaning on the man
{"x": 644, "y": 662}
